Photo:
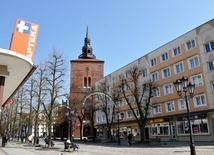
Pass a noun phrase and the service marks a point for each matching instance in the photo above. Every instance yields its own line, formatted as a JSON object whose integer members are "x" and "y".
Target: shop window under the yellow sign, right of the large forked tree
{"x": 160, "y": 129}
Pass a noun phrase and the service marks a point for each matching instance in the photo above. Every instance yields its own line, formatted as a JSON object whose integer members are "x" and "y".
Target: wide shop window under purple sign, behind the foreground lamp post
{"x": 199, "y": 126}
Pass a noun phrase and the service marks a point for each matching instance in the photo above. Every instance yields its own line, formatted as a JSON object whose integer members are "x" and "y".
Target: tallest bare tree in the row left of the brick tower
{"x": 55, "y": 88}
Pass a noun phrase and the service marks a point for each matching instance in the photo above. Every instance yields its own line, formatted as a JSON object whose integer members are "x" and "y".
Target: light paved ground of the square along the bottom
{"x": 90, "y": 148}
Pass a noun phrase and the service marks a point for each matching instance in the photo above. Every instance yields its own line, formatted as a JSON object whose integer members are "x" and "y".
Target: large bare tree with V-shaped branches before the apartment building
{"x": 142, "y": 98}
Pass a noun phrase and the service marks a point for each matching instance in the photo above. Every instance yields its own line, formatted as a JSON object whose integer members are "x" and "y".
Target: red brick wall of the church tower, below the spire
{"x": 78, "y": 72}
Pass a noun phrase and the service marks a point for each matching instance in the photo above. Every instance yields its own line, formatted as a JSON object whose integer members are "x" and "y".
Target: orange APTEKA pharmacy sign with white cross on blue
{"x": 24, "y": 38}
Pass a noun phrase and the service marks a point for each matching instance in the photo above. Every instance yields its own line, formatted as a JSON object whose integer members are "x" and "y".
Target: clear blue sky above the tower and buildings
{"x": 121, "y": 31}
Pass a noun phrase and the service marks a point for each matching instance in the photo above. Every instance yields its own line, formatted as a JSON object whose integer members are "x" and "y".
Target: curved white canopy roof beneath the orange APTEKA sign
{"x": 19, "y": 69}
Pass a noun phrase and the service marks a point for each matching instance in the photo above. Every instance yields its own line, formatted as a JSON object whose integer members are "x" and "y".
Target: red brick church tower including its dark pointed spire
{"x": 85, "y": 71}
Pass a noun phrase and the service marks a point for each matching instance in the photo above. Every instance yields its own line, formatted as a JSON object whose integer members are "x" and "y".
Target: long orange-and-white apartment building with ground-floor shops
{"x": 190, "y": 55}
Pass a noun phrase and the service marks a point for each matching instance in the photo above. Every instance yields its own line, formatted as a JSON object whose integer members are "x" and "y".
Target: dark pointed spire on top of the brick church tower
{"x": 87, "y": 49}
